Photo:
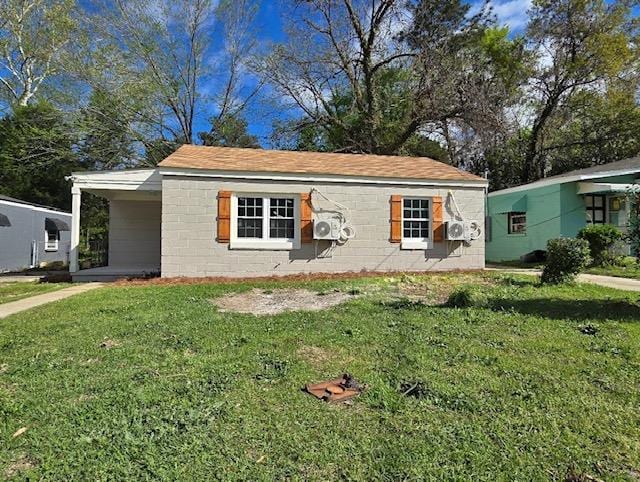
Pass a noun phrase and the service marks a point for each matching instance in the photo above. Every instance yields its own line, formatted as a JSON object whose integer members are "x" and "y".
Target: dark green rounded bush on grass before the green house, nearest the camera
{"x": 566, "y": 257}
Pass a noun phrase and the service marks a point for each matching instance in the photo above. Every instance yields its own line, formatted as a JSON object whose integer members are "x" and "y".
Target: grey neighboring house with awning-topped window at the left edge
{"x": 32, "y": 235}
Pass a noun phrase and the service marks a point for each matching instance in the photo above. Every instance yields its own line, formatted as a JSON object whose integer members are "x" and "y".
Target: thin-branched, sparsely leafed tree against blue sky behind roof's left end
{"x": 161, "y": 48}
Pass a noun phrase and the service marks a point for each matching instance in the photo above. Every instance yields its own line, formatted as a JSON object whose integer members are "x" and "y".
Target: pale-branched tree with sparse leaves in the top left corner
{"x": 33, "y": 38}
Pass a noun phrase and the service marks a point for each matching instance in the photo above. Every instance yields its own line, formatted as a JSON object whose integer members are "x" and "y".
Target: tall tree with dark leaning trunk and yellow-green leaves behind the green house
{"x": 580, "y": 45}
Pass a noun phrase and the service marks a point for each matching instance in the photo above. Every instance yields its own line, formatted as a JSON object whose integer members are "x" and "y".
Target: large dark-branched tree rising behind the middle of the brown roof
{"x": 373, "y": 75}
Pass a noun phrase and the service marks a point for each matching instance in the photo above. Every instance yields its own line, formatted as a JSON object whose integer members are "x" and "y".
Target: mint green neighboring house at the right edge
{"x": 523, "y": 218}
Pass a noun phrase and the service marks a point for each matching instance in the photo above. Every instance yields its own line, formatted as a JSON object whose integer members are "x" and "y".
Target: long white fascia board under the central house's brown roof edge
{"x": 318, "y": 178}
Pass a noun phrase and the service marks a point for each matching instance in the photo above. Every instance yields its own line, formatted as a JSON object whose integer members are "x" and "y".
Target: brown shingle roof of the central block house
{"x": 297, "y": 162}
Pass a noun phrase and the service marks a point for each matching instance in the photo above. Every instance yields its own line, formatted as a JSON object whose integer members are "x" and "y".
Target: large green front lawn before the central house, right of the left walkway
{"x": 151, "y": 382}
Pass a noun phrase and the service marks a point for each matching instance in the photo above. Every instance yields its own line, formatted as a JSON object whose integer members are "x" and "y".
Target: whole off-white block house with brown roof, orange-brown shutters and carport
{"x": 214, "y": 211}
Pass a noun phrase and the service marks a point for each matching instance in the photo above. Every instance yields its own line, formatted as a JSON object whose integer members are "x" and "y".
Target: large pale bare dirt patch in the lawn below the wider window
{"x": 271, "y": 302}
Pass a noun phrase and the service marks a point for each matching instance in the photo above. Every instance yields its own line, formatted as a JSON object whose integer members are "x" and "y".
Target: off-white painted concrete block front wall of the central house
{"x": 189, "y": 246}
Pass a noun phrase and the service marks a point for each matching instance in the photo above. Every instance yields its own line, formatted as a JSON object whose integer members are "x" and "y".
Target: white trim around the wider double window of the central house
{"x": 265, "y": 243}
